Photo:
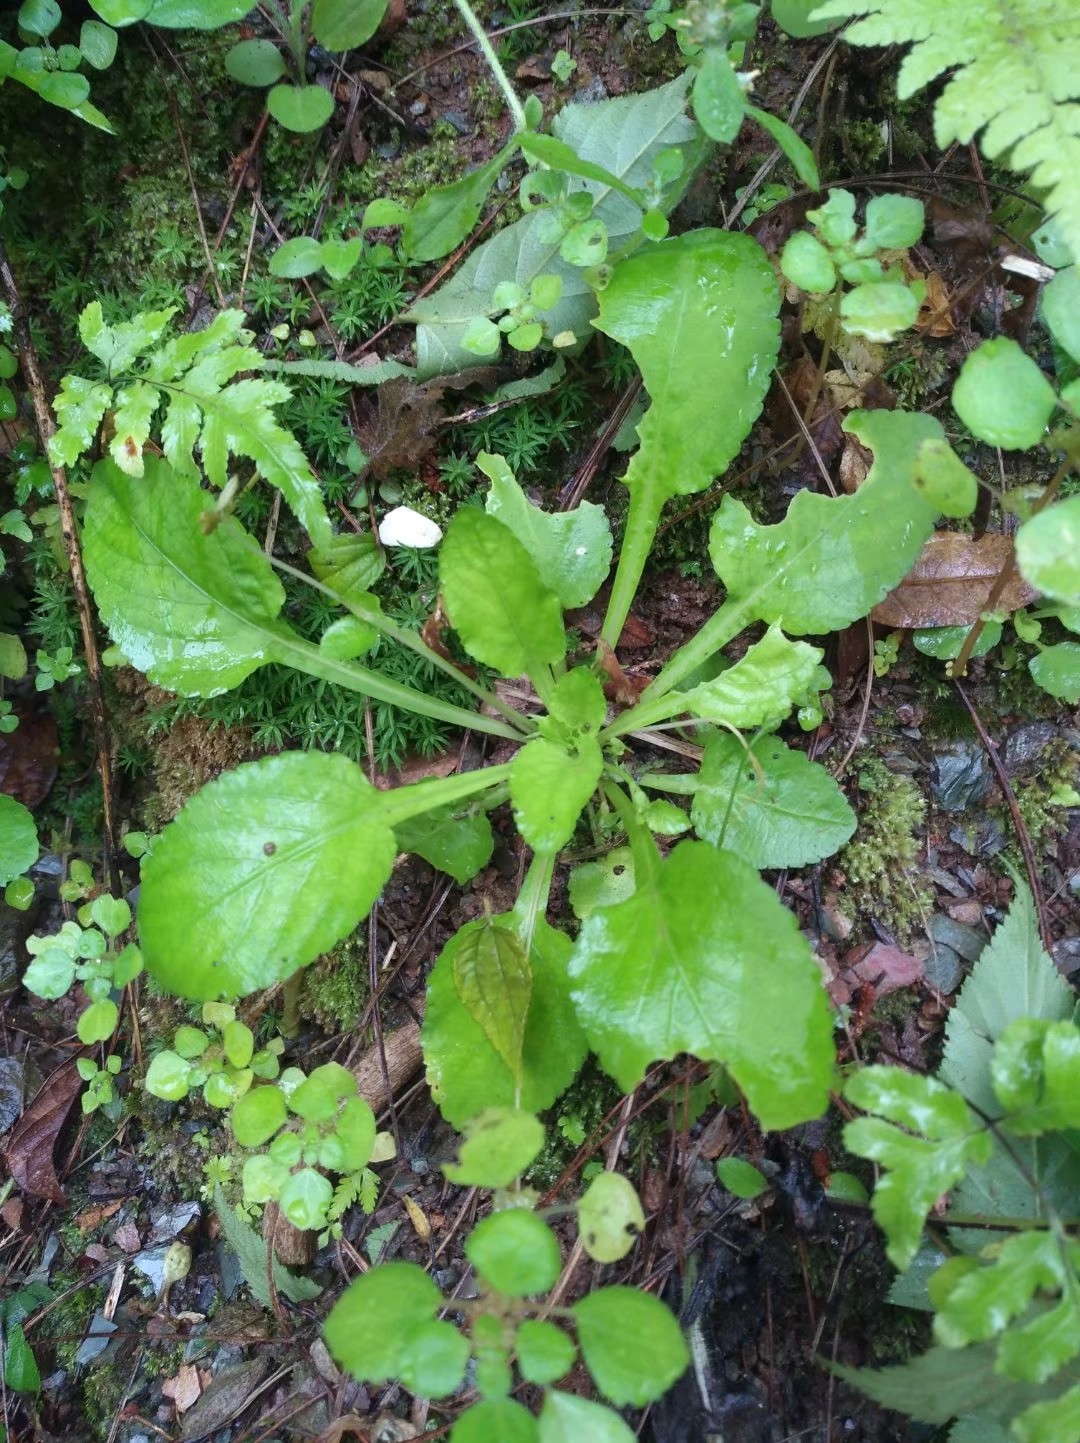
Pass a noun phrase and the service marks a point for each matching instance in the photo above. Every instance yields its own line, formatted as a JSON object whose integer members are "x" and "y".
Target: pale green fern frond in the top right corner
{"x": 1016, "y": 82}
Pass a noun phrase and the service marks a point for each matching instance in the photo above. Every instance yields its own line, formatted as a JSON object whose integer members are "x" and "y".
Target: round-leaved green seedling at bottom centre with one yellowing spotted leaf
{"x": 386, "y": 1324}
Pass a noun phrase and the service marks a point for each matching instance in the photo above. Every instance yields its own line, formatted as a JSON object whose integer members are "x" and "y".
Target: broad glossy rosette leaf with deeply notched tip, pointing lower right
{"x": 691, "y": 963}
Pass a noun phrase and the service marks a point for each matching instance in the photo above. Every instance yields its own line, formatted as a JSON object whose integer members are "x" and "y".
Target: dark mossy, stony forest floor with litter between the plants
{"x": 951, "y": 781}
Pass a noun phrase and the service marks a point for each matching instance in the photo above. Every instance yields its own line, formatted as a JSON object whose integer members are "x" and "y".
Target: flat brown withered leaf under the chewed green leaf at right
{"x": 951, "y": 584}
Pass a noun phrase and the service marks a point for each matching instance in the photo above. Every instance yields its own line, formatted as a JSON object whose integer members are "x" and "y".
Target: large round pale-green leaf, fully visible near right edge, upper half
{"x": 1003, "y": 398}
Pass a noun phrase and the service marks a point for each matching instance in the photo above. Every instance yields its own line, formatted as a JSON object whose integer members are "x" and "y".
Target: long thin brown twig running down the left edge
{"x": 79, "y": 578}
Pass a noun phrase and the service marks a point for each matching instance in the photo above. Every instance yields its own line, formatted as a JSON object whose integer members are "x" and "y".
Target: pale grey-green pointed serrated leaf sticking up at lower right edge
{"x": 1013, "y": 979}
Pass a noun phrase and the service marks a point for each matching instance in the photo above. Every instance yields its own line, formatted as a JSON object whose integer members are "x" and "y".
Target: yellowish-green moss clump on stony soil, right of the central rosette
{"x": 880, "y": 864}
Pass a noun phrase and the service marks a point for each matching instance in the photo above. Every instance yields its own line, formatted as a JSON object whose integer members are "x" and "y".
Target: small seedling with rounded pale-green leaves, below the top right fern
{"x": 881, "y": 302}
